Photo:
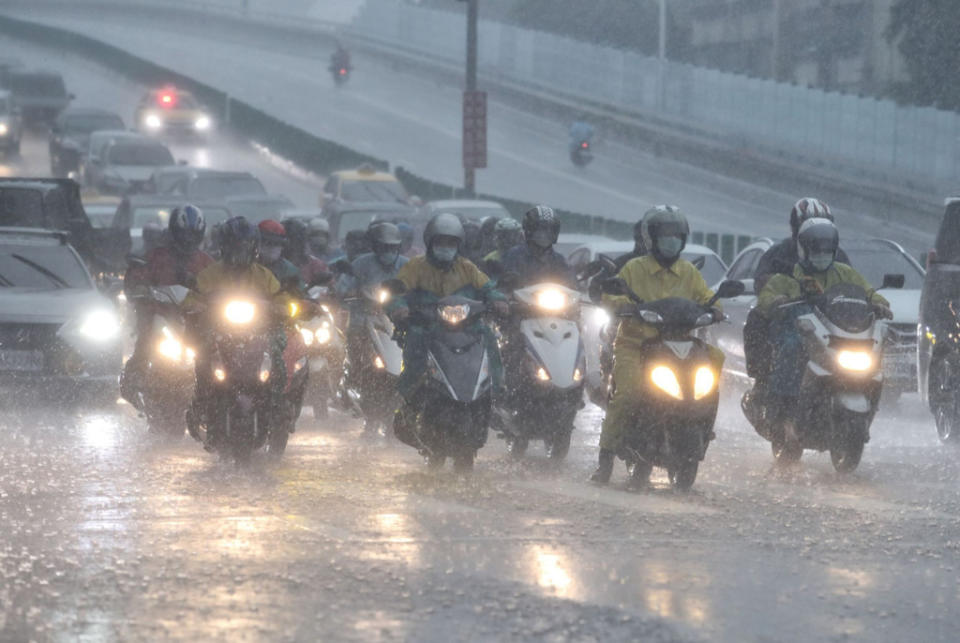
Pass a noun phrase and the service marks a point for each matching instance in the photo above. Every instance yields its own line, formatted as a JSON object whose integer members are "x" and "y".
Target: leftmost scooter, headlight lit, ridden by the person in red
{"x": 169, "y": 377}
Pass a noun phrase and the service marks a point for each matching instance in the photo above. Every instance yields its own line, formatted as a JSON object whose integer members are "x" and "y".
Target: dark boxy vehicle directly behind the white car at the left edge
{"x": 56, "y": 204}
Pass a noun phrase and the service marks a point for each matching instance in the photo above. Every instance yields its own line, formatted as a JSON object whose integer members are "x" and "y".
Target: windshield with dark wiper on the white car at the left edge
{"x": 40, "y": 267}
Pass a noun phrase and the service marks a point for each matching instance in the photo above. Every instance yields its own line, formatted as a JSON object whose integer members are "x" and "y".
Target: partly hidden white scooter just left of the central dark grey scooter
{"x": 371, "y": 383}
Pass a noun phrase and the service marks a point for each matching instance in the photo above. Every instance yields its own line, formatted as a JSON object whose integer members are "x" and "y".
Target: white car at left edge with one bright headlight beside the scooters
{"x": 58, "y": 332}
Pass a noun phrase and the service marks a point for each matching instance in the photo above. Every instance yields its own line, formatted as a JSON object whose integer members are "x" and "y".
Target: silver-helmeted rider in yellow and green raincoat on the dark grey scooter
{"x": 441, "y": 272}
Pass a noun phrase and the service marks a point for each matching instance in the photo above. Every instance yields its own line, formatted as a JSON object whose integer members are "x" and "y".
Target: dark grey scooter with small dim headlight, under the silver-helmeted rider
{"x": 454, "y": 418}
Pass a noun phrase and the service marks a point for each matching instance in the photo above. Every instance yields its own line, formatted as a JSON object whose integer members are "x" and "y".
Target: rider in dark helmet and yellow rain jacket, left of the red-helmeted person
{"x": 236, "y": 269}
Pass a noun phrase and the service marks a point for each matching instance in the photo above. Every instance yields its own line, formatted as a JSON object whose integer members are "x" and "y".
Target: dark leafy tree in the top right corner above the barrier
{"x": 925, "y": 32}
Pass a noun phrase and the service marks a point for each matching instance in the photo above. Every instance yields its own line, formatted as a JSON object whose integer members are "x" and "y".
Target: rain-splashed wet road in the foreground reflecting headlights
{"x": 111, "y": 533}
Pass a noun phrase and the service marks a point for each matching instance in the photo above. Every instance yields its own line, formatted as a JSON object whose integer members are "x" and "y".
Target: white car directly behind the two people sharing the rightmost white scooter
{"x": 872, "y": 258}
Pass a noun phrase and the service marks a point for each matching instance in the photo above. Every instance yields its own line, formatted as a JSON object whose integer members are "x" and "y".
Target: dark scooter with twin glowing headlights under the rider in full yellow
{"x": 679, "y": 392}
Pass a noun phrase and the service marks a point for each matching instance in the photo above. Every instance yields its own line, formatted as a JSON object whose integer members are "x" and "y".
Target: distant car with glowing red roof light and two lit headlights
{"x": 172, "y": 111}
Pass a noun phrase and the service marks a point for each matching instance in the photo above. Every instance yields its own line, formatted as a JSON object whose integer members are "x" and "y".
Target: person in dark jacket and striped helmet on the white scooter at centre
{"x": 535, "y": 261}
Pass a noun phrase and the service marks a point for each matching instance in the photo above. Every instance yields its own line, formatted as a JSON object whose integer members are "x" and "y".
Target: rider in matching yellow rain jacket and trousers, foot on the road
{"x": 658, "y": 275}
